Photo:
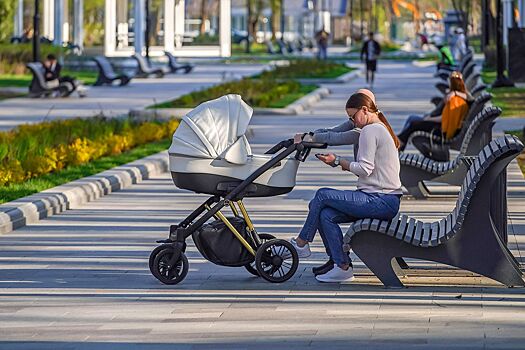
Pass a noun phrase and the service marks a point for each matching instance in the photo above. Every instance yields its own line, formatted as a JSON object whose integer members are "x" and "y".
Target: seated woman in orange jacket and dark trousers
{"x": 449, "y": 122}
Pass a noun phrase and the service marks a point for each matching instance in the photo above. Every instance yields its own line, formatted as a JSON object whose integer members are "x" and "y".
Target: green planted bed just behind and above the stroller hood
{"x": 256, "y": 92}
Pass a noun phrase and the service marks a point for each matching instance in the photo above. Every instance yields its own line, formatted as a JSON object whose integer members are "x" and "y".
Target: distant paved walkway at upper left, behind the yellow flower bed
{"x": 114, "y": 100}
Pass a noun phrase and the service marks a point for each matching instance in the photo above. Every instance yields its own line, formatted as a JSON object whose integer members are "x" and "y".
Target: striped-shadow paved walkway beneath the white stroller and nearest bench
{"x": 79, "y": 280}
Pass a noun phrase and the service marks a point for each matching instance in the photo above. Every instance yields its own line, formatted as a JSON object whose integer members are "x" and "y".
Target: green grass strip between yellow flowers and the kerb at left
{"x": 35, "y": 185}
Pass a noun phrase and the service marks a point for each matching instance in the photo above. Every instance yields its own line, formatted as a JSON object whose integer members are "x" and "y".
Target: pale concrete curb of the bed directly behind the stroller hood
{"x": 293, "y": 108}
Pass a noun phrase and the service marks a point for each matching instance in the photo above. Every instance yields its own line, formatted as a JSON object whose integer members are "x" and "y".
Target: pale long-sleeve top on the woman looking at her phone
{"x": 377, "y": 164}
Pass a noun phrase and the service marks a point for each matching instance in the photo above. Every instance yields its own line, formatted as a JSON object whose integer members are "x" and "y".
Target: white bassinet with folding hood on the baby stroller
{"x": 210, "y": 153}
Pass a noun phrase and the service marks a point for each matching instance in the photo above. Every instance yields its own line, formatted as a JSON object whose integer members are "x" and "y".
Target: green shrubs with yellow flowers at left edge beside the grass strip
{"x": 33, "y": 150}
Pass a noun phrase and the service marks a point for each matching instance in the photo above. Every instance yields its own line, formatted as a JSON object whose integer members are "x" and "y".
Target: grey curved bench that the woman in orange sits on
{"x": 421, "y": 137}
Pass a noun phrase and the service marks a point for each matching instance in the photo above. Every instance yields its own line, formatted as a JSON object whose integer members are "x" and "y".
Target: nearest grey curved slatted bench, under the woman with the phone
{"x": 468, "y": 238}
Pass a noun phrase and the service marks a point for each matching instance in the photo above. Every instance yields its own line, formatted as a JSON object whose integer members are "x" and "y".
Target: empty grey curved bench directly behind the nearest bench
{"x": 416, "y": 168}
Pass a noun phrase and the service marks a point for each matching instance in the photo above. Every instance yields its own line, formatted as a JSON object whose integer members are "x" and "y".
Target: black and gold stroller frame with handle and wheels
{"x": 168, "y": 262}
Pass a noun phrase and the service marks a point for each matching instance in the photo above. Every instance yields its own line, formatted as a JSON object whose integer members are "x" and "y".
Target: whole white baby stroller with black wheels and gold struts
{"x": 210, "y": 154}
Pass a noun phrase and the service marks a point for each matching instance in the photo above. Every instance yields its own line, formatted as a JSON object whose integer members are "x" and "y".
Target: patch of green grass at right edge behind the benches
{"x": 510, "y": 99}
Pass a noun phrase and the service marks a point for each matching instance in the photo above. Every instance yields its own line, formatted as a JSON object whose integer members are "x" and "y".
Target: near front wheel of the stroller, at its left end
{"x": 170, "y": 274}
